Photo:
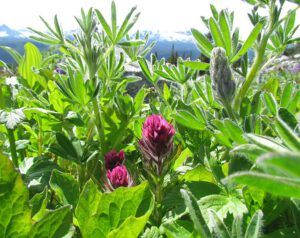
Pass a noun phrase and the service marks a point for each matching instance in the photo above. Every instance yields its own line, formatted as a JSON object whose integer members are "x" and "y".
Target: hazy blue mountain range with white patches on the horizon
{"x": 180, "y": 42}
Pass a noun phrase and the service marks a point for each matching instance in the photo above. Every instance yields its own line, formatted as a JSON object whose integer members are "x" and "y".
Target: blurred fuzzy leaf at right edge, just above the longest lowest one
{"x": 282, "y": 164}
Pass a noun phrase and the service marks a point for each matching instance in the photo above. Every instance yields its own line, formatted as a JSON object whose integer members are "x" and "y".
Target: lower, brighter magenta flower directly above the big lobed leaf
{"x": 118, "y": 177}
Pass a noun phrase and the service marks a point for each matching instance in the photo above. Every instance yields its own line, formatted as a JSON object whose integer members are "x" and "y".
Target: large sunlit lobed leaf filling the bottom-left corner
{"x": 15, "y": 213}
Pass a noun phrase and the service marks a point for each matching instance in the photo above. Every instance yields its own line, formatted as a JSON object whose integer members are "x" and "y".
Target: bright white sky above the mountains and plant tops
{"x": 156, "y": 15}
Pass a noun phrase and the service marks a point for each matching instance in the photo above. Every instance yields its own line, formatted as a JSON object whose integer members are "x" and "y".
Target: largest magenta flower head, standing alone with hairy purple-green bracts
{"x": 157, "y": 142}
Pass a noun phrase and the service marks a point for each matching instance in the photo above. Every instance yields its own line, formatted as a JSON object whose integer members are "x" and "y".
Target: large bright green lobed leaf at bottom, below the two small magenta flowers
{"x": 124, "y": 211}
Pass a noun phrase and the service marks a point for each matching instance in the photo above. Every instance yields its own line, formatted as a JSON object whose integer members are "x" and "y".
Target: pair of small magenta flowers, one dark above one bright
{"x": 116, "y": 172}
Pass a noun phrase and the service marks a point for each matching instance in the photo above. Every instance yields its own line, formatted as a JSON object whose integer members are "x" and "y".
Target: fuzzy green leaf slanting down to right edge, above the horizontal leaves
{"x": 289, "y": 137}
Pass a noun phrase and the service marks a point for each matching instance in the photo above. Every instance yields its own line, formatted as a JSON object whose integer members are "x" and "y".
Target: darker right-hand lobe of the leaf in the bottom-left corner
{"x": 55, "y": 224}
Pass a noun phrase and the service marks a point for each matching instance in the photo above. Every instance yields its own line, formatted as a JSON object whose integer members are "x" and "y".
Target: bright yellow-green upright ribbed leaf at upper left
{"x": 32, "y": 60}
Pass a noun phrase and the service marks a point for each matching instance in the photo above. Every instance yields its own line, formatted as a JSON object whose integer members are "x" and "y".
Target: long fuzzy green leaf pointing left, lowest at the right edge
{"x": 277, "y": 185}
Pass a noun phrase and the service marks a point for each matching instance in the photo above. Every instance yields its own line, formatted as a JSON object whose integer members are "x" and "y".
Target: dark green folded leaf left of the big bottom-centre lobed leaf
{"x": 65, "y": 187}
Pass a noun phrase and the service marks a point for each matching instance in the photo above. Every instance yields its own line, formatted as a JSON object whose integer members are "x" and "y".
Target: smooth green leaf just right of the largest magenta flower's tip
{"x": 187, "y": 119}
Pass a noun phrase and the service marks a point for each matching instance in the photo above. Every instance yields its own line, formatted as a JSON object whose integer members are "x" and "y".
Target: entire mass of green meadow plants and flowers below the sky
{"x": 204, "y": 149}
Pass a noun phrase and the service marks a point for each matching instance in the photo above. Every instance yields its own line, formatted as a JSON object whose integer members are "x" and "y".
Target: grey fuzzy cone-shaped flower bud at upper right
{"x": 221, "y": 75}
